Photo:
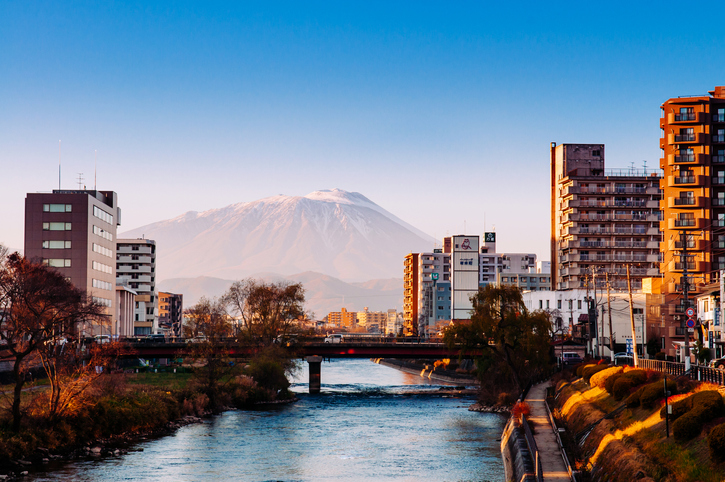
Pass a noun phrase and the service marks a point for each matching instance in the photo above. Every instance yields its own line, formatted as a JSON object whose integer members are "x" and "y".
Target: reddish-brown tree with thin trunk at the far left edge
{"x": 37, "y": 305}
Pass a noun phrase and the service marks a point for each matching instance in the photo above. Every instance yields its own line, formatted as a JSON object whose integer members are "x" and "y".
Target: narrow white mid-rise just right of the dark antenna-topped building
{"x": 136, "y": 268}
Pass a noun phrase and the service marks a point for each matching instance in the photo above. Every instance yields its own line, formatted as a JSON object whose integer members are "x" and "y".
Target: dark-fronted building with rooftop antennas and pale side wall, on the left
{"x": 74, "y": 231}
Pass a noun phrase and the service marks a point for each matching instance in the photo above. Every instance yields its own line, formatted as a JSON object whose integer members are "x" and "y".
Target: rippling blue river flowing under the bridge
{"x": 370, "y": 423}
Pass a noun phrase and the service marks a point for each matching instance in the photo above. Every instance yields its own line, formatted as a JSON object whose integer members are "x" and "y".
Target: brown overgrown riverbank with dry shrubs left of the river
{"x": 122, "y": 405}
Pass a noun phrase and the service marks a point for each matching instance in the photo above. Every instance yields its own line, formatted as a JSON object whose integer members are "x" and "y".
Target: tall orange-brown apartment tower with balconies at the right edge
{"x": 693, "y": 206}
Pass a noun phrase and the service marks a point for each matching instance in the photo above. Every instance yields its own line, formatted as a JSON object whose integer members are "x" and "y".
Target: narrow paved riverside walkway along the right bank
{"x": 552, "y": 462}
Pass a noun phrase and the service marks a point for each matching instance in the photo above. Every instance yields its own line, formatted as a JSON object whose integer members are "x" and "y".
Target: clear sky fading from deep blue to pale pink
{"x": 440, "y": 112}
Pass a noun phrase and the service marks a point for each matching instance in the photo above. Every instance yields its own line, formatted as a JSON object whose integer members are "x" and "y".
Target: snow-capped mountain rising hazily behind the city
{"x": 334, "y": 232}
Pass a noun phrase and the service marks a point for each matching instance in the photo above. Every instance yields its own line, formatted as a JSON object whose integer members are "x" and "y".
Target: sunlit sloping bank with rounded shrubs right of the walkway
{"x": 618, "y": 430}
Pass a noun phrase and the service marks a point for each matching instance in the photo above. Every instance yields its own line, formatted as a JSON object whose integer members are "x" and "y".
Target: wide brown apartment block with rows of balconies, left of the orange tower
{"x": 602, "y": 220}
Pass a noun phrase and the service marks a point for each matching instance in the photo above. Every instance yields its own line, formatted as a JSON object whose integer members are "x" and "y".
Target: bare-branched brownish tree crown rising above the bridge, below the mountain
{"x": 266, "y": 310}
